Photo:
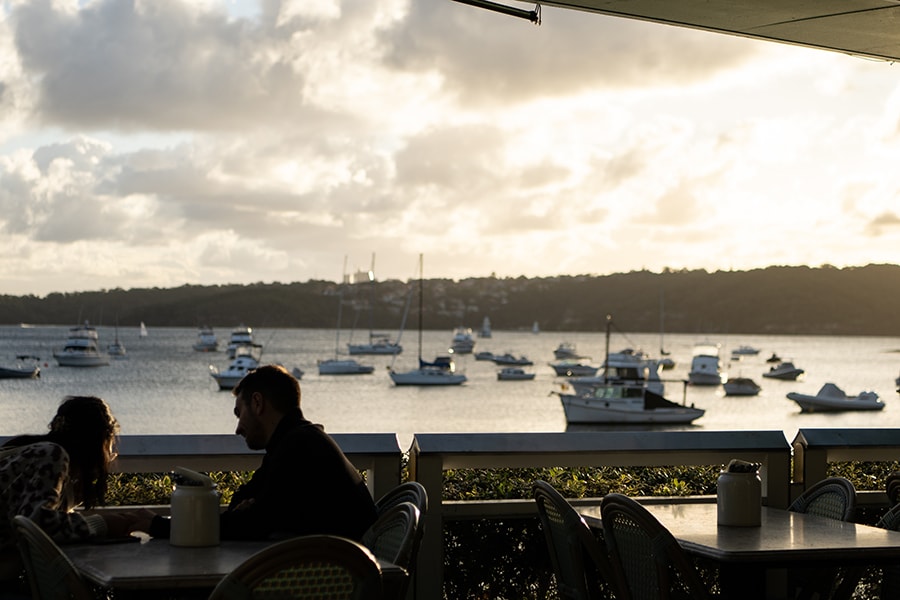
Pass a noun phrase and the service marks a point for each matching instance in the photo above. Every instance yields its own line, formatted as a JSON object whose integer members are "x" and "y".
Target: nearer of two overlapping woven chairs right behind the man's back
{"x": 394, "y": 538}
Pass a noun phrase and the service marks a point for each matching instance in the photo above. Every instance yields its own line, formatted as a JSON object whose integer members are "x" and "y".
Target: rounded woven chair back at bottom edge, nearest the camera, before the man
{"x": 309, "y": 567}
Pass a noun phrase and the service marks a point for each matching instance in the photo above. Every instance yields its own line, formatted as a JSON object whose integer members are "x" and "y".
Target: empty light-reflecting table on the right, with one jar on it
{"x": 748, "y": 555}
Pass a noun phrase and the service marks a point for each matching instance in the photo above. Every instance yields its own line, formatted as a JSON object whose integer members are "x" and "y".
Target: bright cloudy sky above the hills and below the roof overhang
{"x": 158, "y": 143}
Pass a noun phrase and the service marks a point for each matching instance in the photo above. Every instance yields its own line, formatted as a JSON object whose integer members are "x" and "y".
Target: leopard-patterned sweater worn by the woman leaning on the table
{"x": 34, "y": 481}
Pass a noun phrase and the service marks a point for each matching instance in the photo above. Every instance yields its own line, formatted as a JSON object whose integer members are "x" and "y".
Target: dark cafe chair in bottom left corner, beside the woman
{"x": 50, "y": 573}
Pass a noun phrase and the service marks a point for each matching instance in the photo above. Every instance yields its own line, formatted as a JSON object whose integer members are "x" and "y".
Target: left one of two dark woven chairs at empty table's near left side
{"x": 580, "y": 562}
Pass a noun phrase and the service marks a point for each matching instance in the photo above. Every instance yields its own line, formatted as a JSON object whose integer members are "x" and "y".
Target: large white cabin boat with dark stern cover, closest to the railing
{"x": 625, "y": 403}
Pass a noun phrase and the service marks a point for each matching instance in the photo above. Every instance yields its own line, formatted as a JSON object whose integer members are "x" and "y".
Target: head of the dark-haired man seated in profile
{"x": 261, "y": 399}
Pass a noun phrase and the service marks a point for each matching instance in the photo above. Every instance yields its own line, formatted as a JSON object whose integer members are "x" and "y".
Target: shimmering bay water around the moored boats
{"x": 164, "y": 387}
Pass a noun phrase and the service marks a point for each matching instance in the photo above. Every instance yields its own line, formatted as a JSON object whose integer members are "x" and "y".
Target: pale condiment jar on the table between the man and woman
{"x": 194, "y": 510}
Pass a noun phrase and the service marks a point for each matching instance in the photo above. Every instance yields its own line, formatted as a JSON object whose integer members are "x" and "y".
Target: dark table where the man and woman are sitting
{"x": 153, "y": 565}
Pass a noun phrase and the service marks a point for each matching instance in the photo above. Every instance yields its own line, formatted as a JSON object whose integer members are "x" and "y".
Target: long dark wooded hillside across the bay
{"x": 777, "y": 300}
